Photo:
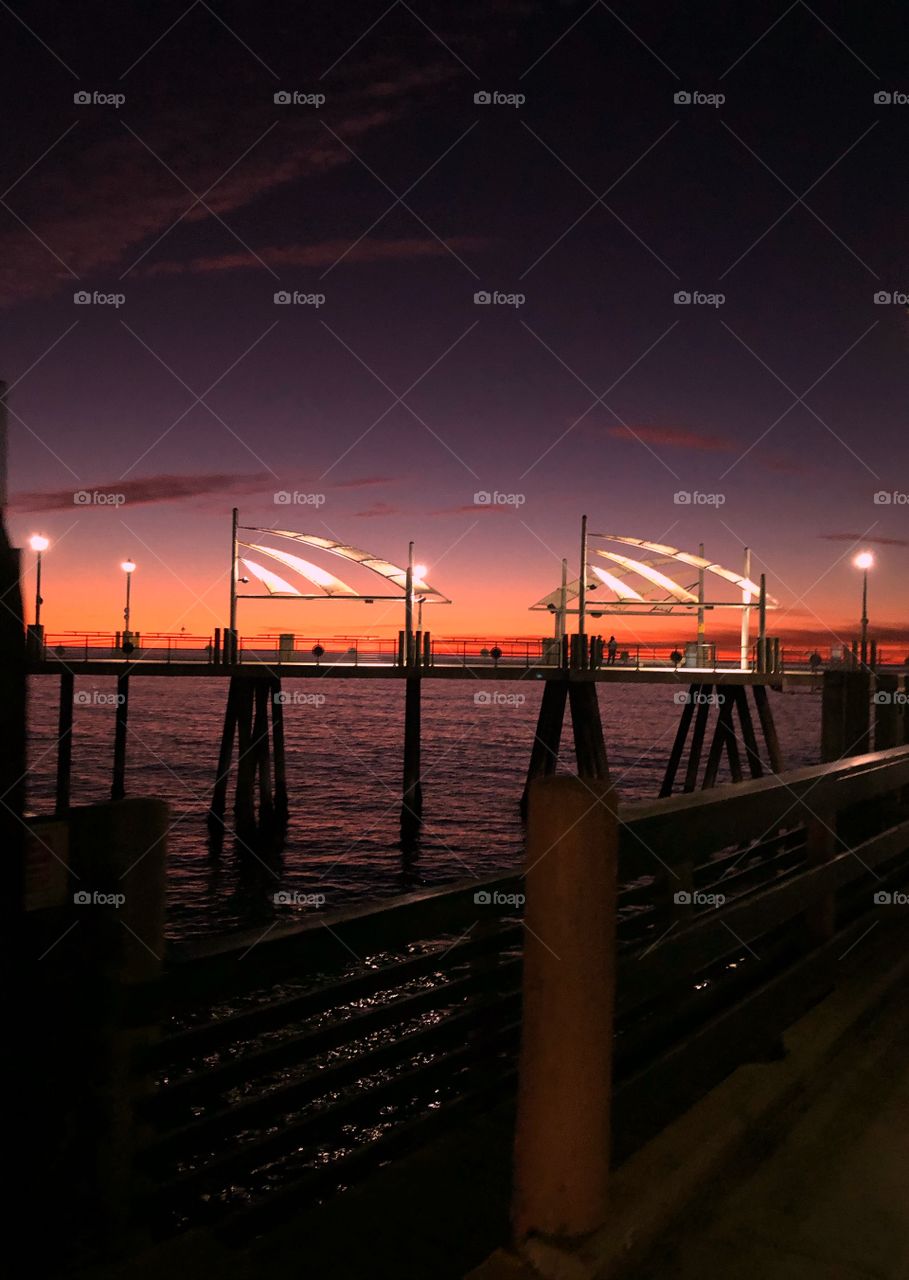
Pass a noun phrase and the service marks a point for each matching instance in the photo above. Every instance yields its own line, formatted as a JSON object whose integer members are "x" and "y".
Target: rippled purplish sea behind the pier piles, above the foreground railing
{"x": 344, "y": 762}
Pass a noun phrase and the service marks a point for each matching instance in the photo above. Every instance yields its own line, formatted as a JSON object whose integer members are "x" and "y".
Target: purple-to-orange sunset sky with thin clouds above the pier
{"x": 389, "y": 406}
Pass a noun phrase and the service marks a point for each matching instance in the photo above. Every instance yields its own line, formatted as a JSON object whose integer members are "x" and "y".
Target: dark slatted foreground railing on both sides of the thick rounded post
{"x": 298, "y": 1060}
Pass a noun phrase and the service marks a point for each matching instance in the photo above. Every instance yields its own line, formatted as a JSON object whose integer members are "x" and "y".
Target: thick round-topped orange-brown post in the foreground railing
{"x": 565, "y": 1084}
